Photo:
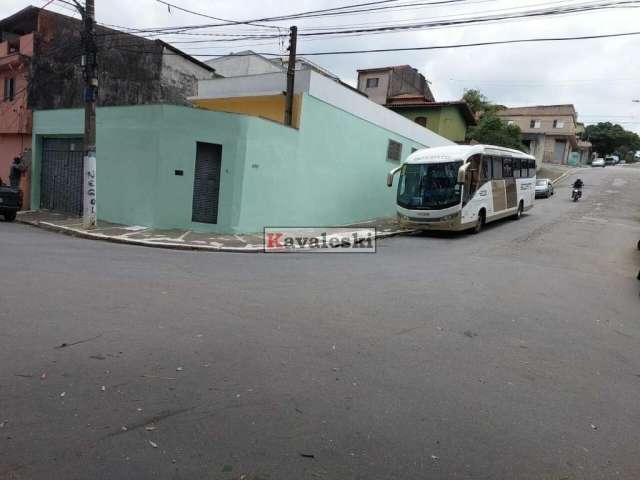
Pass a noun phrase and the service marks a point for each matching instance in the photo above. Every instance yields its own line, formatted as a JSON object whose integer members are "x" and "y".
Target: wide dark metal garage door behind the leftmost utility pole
{"x": 61, "y": 176}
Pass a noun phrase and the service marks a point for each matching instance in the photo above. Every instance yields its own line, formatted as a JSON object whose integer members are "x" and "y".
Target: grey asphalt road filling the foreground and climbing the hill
{"x": 508, "y": 355}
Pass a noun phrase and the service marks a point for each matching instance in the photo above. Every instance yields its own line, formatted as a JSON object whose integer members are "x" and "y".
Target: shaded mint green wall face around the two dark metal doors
{"x": 138, "y": 150}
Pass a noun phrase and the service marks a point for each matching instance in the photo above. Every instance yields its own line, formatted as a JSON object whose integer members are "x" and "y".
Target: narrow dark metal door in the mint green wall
{"x": 206, "y": 183}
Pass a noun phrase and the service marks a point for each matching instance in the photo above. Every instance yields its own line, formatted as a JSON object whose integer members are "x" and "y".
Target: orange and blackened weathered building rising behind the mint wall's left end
{"x": 40, "y": 68}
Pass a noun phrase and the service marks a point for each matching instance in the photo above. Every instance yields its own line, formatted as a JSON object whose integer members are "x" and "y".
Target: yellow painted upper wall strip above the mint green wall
{"x": 269, "y": 106}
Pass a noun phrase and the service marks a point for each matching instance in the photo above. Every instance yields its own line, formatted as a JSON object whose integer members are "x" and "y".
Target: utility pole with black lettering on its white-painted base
{"x": 89, "y": 62}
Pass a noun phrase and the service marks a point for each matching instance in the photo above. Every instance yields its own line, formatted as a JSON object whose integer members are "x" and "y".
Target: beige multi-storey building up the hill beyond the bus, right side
{"x": 549, "y": 131}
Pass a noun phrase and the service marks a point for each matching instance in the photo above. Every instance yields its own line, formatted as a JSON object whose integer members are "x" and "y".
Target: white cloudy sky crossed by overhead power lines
{"x": 600, "y": 77}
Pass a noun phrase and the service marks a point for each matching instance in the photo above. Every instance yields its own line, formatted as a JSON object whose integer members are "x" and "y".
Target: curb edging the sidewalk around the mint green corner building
{"x": 168, "y": 245}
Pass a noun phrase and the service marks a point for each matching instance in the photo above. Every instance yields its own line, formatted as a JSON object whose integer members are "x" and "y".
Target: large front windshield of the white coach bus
{"x": 431, "y": 186}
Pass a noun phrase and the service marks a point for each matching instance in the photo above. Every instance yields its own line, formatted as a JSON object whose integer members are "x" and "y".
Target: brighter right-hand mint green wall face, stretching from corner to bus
{"x": 331, "y": 172}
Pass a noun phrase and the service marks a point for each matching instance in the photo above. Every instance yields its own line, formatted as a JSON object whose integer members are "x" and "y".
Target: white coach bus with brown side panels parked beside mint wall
{"x": 463, "y": 187}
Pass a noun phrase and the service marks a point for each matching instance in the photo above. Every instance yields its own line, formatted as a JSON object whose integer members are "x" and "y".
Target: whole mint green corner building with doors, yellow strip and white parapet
{"x": 222, "y": 171}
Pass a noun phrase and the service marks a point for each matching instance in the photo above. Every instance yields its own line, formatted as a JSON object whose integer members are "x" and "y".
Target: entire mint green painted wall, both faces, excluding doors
{"x": 331, "y": 171}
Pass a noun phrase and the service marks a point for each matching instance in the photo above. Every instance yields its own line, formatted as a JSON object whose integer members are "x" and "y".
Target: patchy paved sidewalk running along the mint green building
{"x": 175, "y": 239}
